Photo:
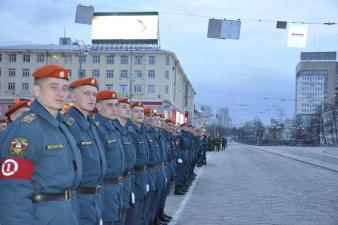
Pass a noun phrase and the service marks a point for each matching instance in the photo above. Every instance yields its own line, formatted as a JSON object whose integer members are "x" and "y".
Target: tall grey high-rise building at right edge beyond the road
{"x": 316, "y": 84}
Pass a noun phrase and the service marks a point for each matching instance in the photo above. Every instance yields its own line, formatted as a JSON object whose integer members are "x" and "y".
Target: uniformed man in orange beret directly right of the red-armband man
{"x": 85, "y": 133}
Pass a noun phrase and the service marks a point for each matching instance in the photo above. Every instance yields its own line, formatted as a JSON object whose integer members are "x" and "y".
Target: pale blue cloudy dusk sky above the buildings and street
{"x": 253, "y": 76}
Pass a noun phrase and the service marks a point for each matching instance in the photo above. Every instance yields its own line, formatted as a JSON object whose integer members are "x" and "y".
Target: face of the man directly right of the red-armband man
{"x": 85, "y": 97}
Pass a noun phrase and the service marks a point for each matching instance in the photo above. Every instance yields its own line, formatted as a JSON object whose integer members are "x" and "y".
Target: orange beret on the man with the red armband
{"x": 54, "y": 71}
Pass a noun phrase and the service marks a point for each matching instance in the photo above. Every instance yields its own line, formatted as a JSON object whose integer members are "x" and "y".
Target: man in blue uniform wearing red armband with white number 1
{"x": 41, "y": 165}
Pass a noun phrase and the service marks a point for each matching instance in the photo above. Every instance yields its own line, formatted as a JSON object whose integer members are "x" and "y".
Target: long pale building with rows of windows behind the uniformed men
{"x": 145, "y": 74}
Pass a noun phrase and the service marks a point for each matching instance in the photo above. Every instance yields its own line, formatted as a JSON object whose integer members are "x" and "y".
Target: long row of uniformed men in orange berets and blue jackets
{"x": 117, "y": 165}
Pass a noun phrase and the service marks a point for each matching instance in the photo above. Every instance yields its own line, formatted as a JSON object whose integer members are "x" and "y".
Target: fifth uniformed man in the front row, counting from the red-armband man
{"x": 141, "y": 181}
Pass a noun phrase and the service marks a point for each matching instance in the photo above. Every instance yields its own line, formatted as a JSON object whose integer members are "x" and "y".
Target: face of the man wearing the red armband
{"x": 52, "y": 93}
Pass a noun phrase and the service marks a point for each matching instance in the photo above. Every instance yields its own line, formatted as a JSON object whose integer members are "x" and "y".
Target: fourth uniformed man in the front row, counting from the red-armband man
{"x": 124, "y": 133}
